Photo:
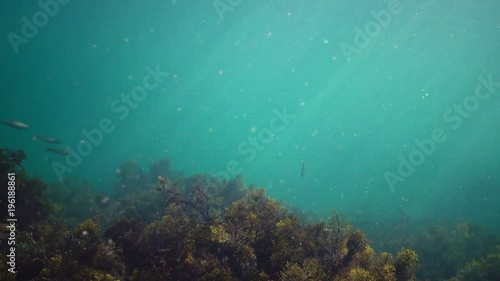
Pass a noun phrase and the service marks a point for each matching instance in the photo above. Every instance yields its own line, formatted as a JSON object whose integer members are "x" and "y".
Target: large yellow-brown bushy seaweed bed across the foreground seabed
{"x": 162, "y": 225}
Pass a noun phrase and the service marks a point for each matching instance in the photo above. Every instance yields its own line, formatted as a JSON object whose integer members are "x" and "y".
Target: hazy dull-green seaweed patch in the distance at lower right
{"x": 444, "y": 249}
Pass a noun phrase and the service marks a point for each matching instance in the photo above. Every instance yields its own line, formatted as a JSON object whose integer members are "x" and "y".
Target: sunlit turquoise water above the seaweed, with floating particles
{"x": 269, "y": 90}
